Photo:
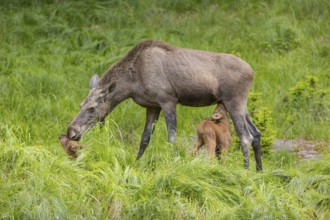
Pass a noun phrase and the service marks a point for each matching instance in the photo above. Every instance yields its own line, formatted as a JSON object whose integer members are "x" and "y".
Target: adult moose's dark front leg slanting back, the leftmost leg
{"x": 151, "y": 118}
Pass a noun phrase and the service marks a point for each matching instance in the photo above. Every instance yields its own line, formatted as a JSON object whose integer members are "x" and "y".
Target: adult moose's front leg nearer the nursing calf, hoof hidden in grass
{"x": 170, "y": 118}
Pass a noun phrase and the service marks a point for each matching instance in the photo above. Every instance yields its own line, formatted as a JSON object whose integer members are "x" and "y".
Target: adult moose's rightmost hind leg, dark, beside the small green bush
{"x": 256, "y": 142}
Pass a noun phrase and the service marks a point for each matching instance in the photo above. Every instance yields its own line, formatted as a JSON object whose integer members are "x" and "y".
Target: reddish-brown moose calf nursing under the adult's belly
{"x": 214, "y": 133}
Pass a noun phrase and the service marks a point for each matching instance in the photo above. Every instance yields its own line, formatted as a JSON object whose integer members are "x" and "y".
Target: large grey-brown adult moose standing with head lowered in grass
{"x": 158, "y": 76}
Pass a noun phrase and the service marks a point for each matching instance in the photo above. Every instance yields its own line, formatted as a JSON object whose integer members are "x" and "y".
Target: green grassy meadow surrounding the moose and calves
{"x": 49, "y": 49}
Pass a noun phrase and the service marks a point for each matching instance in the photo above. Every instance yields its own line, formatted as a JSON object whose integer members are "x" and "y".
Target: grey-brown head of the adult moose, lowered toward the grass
{"x": 92, "y": 110}
